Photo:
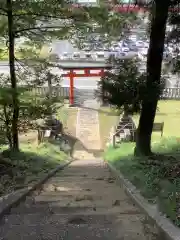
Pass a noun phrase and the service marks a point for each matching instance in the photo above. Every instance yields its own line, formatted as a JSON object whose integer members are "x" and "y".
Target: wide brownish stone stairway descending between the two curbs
{"x": 81, "y": 203}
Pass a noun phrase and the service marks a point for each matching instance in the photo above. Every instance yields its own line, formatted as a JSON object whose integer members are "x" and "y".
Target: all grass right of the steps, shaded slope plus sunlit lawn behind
{"x": 157, "y": 177}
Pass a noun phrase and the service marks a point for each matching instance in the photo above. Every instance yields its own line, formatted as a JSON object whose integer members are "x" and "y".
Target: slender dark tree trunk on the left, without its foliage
{"x": 13, "y": 77}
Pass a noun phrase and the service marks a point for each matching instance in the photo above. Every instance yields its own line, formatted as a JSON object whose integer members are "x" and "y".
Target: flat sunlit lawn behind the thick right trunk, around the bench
{"x": 169, "y": 113}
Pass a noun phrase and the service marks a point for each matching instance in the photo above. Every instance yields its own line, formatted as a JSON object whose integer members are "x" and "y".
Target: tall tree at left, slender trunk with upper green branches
{"x": 30, "y": 19}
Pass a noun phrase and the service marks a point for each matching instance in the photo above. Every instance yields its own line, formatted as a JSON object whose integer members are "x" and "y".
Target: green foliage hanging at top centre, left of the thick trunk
{"x": 107, "y": 24}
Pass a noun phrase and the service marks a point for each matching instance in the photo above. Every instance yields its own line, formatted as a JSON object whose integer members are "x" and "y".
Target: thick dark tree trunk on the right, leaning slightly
{"x": 154, "y": 64}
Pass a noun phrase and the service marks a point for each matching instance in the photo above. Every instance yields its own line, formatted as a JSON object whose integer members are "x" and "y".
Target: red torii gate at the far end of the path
{"x": 71, "y": 74}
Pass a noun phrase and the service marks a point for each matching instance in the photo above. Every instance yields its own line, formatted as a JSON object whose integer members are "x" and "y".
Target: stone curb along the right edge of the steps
{"x": 170, "y": 231}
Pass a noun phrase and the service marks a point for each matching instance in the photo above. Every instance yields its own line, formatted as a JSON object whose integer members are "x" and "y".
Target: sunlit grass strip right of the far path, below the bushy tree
{"x": 108, "y": 118}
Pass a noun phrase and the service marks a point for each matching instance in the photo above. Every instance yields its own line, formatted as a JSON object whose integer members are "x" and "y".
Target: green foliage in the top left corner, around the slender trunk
{"x": 39, "y": 23}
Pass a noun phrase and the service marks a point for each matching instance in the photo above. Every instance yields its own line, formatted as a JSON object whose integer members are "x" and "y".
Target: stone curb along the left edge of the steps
{"x": 13, "y": 199}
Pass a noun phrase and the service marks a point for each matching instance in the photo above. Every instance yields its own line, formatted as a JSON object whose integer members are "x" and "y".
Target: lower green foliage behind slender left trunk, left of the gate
{"x": 32, "y": 105}
